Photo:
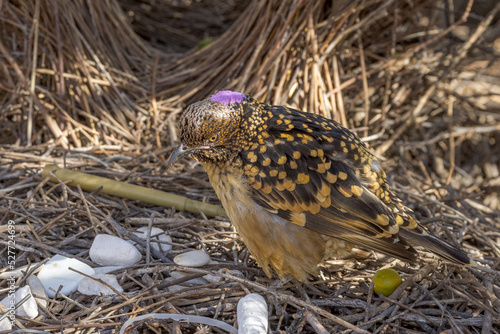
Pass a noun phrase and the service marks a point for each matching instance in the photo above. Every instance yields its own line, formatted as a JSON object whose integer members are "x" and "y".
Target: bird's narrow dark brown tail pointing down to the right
{"x": 437, "y": 246}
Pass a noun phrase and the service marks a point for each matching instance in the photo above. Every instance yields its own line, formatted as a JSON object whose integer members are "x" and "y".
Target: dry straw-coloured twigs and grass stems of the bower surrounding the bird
{"x": 419, "y": 80}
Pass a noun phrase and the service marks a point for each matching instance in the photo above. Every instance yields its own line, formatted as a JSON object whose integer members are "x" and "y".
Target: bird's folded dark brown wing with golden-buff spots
{"x": 304, "y": 174}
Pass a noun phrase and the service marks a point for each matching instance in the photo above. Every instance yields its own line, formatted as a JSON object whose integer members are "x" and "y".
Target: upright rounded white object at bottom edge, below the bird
{"x": 252, "y": 315}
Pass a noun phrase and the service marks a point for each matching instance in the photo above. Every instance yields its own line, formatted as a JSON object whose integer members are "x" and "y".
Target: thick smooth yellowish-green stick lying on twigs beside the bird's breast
{"x": 121, "y": 189}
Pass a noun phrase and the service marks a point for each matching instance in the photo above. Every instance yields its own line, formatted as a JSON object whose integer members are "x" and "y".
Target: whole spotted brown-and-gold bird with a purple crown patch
{"x": 298, "y": 187}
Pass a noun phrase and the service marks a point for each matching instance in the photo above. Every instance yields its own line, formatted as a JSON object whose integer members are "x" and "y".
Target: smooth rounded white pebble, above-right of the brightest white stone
{"x": 108, "y": 250}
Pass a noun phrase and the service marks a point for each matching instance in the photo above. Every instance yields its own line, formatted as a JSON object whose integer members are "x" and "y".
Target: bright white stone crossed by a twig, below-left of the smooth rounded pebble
{"x": 56, "y": 273}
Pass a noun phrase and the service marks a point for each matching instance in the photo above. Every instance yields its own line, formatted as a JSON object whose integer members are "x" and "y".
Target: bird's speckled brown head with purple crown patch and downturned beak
{"x": 215, "y": 129}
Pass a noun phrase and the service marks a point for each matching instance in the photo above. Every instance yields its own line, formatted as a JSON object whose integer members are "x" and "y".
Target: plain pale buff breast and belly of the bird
{"x": 273, "y": 241}
